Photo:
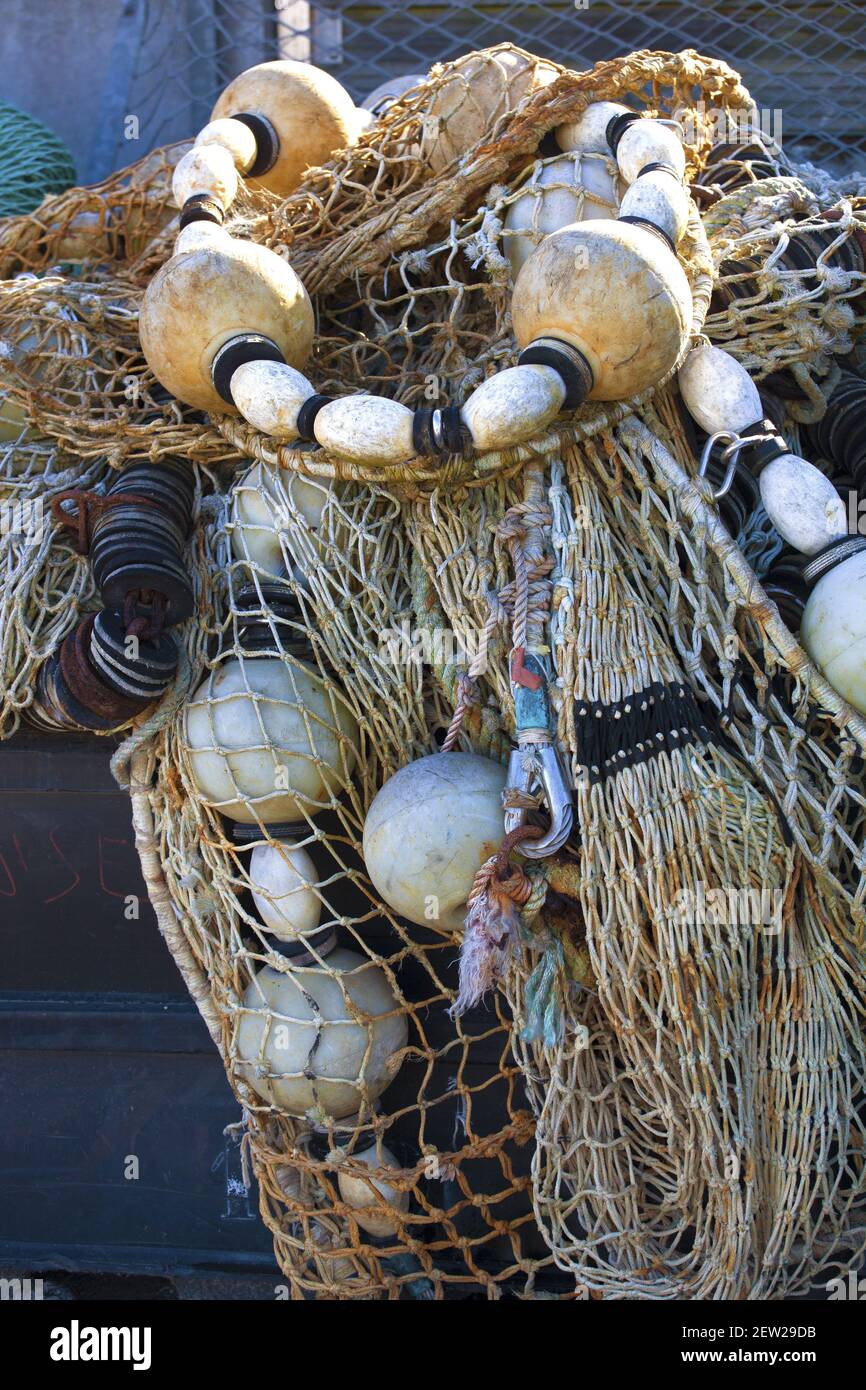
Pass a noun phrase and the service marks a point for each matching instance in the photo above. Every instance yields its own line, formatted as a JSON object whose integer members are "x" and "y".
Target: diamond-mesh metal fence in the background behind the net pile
{"x": 803, "y": 62}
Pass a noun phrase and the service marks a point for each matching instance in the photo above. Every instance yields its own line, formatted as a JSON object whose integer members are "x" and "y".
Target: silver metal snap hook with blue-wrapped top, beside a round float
{"x": 534, "y": 768}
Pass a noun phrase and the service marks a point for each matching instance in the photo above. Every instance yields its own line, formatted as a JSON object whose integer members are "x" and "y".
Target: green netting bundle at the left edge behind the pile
{"x": 34, "y": 162}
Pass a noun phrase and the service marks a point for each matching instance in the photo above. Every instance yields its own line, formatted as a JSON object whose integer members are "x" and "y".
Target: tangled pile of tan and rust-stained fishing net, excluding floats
{"x": 648, "y": 1109}
